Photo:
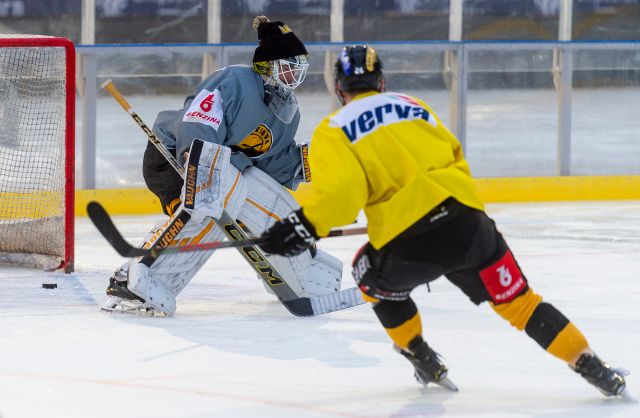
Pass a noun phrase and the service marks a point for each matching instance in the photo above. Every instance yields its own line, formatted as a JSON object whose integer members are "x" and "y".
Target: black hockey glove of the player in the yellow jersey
{"x": 289, "y": 236}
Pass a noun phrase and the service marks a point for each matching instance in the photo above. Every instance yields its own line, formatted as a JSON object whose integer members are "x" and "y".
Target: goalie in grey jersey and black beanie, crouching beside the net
{"x": 236, "y": 133}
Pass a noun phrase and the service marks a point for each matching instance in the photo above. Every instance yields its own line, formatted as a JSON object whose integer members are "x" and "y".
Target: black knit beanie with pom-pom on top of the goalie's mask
{"x": 277, "y": 41}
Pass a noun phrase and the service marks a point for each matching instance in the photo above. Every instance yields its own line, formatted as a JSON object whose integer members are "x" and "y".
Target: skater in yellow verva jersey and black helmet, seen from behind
{"x": 389, "y": 154}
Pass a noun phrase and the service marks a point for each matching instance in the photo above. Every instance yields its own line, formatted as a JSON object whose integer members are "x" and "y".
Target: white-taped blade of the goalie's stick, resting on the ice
{"x": 318, "y": 305}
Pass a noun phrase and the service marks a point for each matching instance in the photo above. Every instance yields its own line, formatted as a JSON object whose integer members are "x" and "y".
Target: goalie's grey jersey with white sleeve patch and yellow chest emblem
{"x": 228, "y": 108}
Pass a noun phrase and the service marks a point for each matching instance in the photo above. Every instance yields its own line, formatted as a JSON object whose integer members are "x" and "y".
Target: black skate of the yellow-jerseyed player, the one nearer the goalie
{"x": 428, "y": 366}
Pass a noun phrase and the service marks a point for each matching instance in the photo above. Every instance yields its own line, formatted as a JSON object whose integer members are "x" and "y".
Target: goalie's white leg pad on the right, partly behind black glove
{"x": 267, "y": 202}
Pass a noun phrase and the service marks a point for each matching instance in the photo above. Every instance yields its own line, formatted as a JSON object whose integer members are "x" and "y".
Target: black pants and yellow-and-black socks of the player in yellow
{"x": 462, "y": 244}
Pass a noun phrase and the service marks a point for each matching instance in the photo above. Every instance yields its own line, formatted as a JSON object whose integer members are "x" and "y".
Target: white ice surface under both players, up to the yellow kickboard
{"x": 233, "y": 351}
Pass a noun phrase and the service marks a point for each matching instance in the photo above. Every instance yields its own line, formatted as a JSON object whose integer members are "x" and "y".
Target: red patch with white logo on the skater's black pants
{"x": 503, "y": 279}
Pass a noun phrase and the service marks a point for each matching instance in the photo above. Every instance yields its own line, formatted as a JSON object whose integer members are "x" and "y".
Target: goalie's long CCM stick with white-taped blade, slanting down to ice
{"x": 298, "y": 306}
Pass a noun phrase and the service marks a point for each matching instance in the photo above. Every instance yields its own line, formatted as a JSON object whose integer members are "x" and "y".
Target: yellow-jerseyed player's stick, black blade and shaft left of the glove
{"x": 107, "y": 228}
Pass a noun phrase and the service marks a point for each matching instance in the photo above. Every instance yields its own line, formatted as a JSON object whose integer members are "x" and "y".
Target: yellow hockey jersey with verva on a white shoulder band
{"x": 389, "y": 154}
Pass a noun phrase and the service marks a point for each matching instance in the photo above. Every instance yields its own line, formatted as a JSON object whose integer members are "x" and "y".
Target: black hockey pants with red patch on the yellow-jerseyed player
{"x": 453, "y": 240}
